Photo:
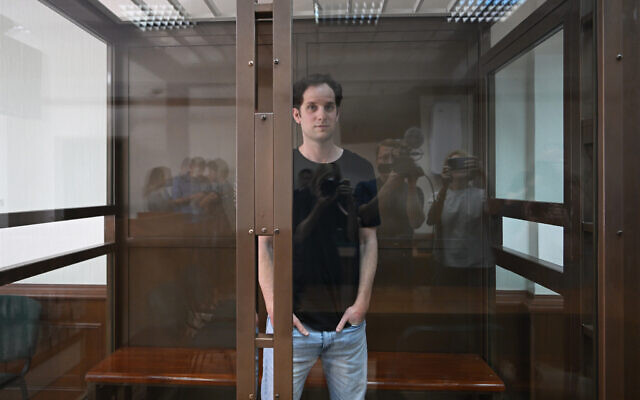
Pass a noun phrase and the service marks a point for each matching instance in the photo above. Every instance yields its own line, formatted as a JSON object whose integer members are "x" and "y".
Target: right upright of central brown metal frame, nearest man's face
{"x": 283, "y": 192}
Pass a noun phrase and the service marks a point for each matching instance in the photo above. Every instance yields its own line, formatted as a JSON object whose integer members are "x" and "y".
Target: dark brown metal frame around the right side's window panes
{"x": 542, "y": 23}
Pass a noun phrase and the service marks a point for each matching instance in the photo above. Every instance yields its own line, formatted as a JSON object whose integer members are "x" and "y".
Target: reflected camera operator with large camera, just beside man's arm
{"x": 400, "y": 201}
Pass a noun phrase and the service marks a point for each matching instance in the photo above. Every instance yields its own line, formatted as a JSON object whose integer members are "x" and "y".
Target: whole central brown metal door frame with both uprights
{"x": 264, "y": 144}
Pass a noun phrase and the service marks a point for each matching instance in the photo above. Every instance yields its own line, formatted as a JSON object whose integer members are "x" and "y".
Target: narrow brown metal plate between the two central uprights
{"x": 264, "y": 172}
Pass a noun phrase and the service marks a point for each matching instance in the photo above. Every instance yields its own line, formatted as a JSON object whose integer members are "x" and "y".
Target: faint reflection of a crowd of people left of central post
{"x": 201, "y": 189}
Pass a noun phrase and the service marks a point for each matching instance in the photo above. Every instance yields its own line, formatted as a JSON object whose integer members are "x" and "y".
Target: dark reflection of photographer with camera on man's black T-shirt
{"x": 327, "y": 189}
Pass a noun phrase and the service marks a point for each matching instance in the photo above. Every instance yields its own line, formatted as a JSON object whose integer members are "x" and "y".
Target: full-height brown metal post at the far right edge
{"x": 611, "y": 349}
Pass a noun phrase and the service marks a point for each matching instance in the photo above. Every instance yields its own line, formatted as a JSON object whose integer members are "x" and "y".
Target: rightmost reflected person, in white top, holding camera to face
{"x": 457, "y": 213}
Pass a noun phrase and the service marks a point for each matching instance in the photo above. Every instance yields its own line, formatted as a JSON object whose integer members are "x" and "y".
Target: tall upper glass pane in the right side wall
{"x": 529, "y": 124}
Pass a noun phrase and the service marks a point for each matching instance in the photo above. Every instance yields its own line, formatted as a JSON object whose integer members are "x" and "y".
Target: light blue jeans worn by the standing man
{"x": 344, "y": 361}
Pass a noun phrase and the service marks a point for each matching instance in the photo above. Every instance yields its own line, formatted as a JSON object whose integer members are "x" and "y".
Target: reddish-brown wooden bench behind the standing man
{"x": 155, "y": 366}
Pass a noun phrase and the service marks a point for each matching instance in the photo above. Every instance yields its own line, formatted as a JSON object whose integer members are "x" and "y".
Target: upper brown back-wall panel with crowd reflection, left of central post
{"x": 182, "y": 173}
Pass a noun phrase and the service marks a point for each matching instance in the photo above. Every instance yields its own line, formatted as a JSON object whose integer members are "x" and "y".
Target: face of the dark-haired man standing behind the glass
{"x": 318, "y": 113}
